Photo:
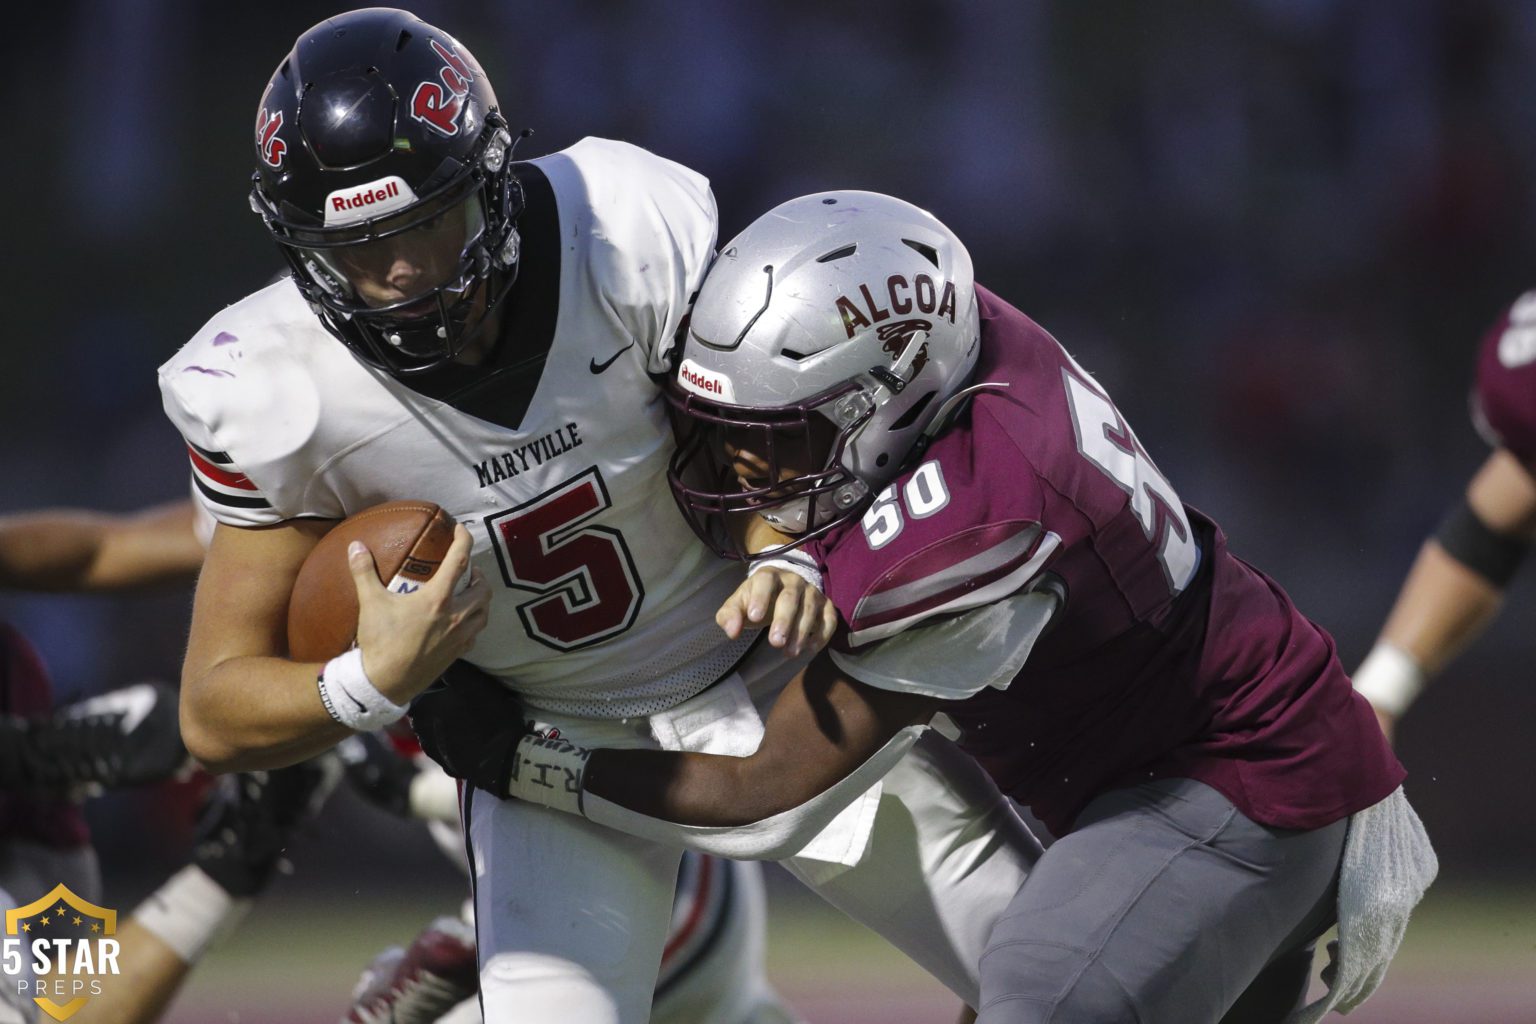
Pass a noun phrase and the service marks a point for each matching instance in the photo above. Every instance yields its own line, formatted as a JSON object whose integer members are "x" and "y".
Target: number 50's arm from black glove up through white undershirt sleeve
{"x": 835, "y": 730}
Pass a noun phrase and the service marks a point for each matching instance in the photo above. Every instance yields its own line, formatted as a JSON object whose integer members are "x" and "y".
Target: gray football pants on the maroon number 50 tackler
{"x": 1165, "y": 907}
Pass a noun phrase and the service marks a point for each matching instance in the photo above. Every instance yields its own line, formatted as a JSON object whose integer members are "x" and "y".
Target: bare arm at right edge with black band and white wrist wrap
{"x": 1455, "y": 587}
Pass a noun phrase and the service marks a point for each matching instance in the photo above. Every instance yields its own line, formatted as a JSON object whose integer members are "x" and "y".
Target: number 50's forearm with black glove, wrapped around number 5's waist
{"x": 826, "y": 742}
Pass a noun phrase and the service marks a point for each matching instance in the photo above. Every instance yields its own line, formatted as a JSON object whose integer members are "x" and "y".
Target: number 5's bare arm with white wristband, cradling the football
{"x": 245, "y": 705}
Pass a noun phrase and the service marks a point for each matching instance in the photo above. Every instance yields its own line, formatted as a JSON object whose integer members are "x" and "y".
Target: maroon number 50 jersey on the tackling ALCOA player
{"x": 1170, "y": 656}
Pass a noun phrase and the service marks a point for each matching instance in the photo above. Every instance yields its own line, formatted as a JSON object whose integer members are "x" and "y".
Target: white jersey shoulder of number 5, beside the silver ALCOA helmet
{"x": 649, "y": 254}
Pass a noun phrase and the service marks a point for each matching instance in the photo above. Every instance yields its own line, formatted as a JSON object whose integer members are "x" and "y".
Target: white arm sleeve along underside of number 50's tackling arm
{"x": 776, "y": 837}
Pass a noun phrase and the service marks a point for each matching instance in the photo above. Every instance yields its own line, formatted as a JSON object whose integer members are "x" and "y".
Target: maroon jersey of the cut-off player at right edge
{"x": 1505, "y": 397}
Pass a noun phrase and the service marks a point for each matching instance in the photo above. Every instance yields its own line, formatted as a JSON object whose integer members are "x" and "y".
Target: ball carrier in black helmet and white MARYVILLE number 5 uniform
{"x": 492, "y": 337}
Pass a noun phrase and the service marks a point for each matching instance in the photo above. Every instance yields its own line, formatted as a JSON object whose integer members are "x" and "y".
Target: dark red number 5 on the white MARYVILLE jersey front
{"x": 586, "y": 581}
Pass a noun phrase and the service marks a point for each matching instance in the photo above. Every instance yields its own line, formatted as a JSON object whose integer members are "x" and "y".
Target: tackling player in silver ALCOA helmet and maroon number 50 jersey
{"x": 1002, "y": 549}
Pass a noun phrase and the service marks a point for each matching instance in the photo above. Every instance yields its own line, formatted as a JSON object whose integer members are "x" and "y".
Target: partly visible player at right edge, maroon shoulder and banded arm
{"x": 1457, "y": 584}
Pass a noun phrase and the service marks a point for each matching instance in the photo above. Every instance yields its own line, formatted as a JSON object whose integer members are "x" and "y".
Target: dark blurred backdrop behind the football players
{"x": 1276, "y": 230}
